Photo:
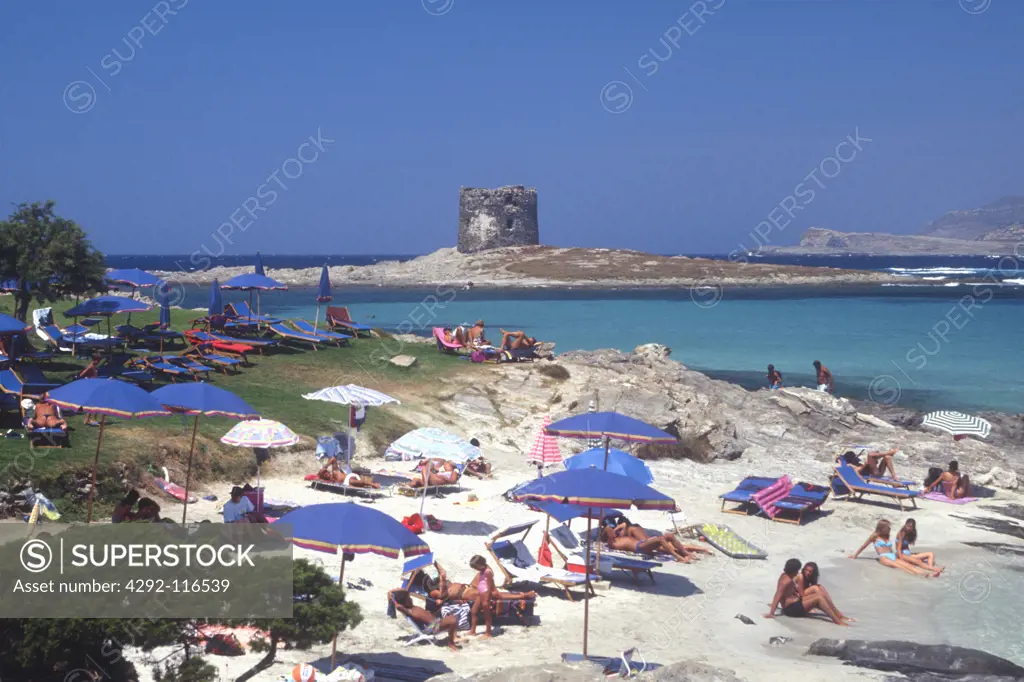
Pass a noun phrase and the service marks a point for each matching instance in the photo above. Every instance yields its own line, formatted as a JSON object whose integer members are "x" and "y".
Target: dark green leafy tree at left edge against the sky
{"x": 49, "y": 257}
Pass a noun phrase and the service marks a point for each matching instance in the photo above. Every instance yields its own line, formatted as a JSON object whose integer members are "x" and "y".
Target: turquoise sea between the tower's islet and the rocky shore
{"x": 954, "y": 347}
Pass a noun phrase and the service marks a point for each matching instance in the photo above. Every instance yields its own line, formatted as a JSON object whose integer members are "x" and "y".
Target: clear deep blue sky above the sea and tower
{"x": 156, "y": 146}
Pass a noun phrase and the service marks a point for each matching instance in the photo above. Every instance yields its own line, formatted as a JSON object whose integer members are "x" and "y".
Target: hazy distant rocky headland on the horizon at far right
{"x": 995, "y": 230}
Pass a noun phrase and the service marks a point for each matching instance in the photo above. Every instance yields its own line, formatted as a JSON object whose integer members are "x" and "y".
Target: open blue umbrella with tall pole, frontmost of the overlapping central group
{"x": 591, "y": 489}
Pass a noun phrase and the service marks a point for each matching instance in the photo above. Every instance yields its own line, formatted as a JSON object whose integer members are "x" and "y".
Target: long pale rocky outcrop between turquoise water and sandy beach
{"x": 796, "y": 431}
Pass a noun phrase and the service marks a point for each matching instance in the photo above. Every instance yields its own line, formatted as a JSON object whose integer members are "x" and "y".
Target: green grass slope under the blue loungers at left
{"x": 274, "y": 387}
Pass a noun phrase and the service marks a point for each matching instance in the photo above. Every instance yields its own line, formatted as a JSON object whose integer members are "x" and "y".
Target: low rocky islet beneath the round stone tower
{"x": 534, "y": 267}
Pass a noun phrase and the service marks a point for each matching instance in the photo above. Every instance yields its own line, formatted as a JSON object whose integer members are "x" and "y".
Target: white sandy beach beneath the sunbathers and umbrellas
{"x": 690, "y": 614}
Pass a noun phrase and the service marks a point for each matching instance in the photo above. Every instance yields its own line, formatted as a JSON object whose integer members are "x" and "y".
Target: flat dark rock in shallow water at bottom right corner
{"x": 910, "y": 658}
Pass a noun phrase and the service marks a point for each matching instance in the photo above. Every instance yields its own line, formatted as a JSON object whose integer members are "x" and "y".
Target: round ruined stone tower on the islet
{"x": 493, "y": 219}
